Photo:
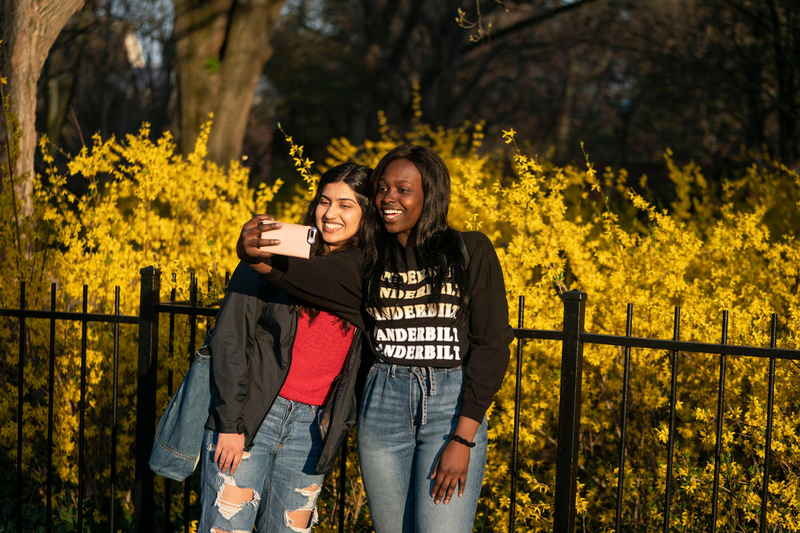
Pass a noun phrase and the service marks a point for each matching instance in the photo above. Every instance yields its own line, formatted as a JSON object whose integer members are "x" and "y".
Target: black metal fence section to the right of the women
{"x": 573, "y": 338}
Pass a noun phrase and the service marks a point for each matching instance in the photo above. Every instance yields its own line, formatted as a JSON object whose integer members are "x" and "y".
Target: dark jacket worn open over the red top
{"x": 251, "y": 351}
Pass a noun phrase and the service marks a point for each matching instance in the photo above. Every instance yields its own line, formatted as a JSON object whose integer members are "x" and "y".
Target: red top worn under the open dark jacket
{"x": 317, "y": 358}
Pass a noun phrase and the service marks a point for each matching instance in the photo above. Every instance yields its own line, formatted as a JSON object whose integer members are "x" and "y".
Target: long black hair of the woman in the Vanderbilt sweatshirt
{"x": 437, "y": 246}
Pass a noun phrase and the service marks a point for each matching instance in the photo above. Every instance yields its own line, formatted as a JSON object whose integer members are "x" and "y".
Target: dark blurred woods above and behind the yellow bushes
{"x": 627, "y": 78}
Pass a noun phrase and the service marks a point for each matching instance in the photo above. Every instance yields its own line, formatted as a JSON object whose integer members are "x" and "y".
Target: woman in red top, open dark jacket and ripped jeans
{"x": 283, "y": 380}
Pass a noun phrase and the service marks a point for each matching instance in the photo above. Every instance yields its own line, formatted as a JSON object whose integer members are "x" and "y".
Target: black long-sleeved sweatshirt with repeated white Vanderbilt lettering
{"x": 408, "y": 328}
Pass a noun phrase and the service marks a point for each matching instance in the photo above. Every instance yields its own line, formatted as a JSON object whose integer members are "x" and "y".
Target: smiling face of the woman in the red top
{"x": 337, "y": 215}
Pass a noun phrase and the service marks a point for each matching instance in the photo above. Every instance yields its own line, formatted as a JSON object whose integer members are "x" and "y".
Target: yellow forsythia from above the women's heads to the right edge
{"x": 708, "y": 251}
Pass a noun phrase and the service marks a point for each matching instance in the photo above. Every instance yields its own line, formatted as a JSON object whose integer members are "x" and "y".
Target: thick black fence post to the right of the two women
{"x": 569, "y": 413}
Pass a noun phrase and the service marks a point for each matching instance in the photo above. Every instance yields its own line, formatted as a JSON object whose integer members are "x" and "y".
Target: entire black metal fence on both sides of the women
{"x": 572, "y": 337}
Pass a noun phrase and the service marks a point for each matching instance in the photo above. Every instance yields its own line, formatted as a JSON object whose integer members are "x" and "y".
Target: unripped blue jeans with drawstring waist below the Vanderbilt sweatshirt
{"x": 406, "y": 414}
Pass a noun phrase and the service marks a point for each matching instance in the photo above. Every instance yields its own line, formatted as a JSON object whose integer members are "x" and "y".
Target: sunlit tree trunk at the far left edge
{"x": 28, "y": 29}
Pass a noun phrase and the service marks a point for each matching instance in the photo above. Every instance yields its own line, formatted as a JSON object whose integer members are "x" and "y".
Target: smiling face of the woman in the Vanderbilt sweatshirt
{"x": 400, "y": 198}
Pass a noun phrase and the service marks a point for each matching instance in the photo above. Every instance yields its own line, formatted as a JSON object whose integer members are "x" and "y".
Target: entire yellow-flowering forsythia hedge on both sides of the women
{"x": 712, "y": 248}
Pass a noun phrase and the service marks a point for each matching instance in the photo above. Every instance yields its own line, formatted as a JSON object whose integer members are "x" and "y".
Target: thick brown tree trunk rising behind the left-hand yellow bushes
{"x": 222, "y": 46}
